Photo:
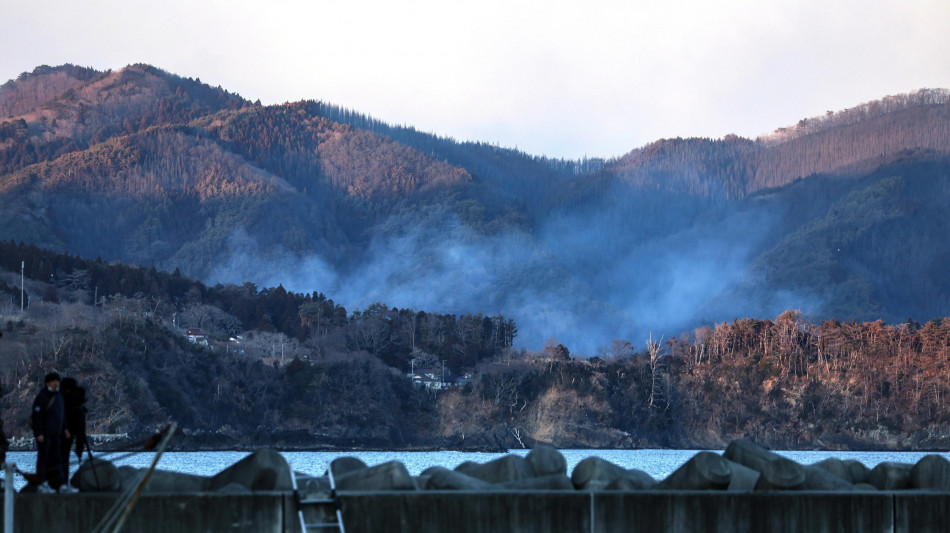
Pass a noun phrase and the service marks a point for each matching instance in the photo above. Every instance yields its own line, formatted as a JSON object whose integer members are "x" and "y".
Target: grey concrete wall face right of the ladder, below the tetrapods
{"x": 647, "y": 512}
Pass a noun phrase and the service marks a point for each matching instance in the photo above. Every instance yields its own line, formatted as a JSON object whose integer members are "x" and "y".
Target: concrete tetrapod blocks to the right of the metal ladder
{"x": 743, "y": 466}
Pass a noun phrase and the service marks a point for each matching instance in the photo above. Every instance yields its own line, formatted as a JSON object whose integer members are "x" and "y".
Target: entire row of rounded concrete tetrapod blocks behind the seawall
{"x": 743, "y": 466}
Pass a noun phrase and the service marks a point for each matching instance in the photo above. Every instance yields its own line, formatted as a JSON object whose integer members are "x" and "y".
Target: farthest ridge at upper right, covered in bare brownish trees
{"x": 848, "y": 142}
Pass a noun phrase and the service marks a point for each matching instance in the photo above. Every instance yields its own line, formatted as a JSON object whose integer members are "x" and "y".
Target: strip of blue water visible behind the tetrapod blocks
{"x": 657, "y": 463}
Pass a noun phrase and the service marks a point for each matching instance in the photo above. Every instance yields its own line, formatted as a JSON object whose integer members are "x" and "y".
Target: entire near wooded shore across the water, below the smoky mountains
{"x": 298, "y": 371}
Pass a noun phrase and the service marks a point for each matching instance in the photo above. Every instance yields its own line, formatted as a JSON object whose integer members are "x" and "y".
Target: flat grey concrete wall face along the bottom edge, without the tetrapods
{"x": 509, "y": 511}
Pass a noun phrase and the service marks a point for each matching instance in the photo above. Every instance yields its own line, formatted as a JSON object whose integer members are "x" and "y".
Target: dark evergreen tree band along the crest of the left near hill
{"x": 322, "y": 326}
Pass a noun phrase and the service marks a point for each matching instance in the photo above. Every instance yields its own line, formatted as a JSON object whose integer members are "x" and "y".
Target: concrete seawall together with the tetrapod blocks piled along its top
{"x": 746, "y": 488}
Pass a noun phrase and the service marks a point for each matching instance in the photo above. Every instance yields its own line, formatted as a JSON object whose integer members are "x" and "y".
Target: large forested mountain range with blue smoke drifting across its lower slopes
{"x": 839, "y": 216}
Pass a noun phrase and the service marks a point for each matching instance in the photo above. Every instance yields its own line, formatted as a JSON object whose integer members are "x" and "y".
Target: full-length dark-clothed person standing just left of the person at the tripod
{"x": 49, "y": 427}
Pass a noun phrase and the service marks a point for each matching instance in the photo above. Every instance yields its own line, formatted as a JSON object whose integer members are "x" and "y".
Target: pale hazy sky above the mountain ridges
{"x": 563, "y": 79}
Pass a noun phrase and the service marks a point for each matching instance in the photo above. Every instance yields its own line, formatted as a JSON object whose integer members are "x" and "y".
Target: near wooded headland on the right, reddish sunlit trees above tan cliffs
{"x": 787, "y": 383}
